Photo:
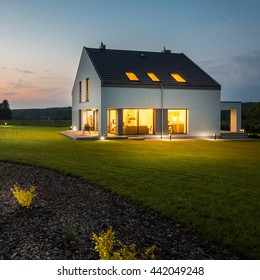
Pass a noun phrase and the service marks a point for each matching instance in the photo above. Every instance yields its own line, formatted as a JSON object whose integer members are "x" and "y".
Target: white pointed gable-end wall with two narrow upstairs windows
{"x": 85, "y": 70}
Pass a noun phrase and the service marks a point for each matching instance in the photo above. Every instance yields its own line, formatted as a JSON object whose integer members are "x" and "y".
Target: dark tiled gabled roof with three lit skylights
{"x": 111, "y": 66}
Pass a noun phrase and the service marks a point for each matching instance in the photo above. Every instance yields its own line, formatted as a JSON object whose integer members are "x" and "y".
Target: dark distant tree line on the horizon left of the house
{"x": 55, "y": 113}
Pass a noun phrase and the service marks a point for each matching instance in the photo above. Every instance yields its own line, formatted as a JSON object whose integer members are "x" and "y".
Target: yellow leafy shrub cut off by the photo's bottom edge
{"x": 105, "y": 244}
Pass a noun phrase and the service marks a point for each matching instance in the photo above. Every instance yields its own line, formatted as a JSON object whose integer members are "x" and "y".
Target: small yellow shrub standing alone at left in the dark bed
{"x": 23, "y": 196}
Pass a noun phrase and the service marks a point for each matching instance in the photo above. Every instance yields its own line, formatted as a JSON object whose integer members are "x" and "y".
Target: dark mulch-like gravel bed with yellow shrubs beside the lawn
{"x": 67, "y": 210}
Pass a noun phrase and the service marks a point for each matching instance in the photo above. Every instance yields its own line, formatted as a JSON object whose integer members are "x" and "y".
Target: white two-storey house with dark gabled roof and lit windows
{"x": 122, "y": 92}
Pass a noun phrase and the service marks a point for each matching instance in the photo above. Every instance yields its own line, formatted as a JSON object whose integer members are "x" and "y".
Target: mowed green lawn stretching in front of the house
{"x": 212, "y": 187}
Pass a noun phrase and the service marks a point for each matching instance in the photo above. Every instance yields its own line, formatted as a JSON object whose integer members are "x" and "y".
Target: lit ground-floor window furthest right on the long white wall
{"x": 177, "y": 121}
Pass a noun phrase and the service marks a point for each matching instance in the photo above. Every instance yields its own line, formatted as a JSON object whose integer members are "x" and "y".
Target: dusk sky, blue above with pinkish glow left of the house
{"x": 41, "y": 42}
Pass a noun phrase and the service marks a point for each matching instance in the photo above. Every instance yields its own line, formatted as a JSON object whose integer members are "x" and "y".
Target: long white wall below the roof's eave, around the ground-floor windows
{"x": 203, "y": 106}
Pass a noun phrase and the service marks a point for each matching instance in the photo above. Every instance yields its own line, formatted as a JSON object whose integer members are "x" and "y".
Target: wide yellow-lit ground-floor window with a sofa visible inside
{"x": 137, "y": 121}
